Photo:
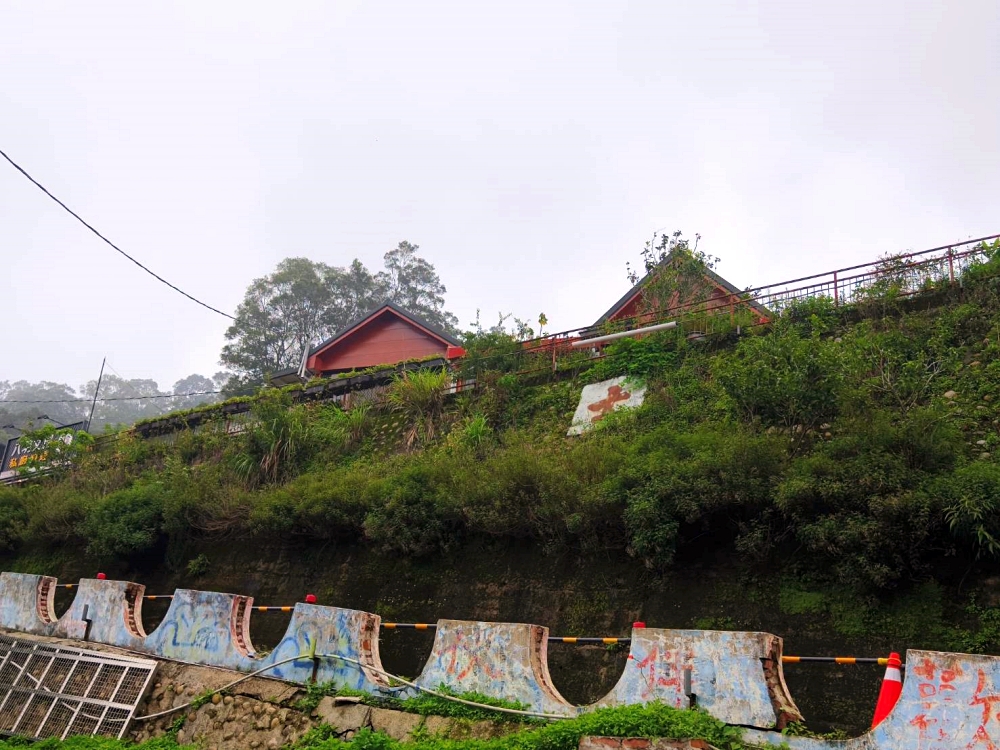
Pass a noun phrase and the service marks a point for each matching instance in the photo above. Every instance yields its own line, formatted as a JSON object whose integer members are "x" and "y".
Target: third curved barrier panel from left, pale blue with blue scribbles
{"x": 204, "y": 627}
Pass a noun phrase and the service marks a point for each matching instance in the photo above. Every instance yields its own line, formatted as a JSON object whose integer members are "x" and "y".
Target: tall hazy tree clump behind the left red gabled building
{"x": 304, "y": 302}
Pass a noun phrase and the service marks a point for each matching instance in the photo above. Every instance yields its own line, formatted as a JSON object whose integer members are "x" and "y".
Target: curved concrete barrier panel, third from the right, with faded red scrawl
{"x": 499, "y": 659}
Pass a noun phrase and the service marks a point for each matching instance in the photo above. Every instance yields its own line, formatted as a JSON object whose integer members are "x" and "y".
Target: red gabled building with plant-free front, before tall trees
{"x": 386, "y": 336}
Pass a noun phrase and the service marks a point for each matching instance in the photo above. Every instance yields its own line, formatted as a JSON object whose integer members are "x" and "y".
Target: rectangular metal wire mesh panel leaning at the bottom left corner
{"x": 55, "y": 691}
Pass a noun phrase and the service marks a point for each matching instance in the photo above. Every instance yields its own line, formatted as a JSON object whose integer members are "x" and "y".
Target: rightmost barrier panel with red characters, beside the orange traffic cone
{"x": 949, "y": 701}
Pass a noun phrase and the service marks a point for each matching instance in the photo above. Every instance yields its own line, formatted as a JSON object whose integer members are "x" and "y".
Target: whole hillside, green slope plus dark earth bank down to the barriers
{"x": 842, "y": 458}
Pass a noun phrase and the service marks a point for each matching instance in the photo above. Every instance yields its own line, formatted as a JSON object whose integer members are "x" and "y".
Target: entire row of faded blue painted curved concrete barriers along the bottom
{"x": 948, "y": 700}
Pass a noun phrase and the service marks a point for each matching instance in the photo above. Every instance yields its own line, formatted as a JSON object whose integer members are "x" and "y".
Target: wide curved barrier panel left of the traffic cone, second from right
{"x": 735, "y": 676}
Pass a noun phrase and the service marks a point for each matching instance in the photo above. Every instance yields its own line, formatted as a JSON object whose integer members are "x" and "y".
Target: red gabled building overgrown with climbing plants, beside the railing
{"x": 709, "y": 293}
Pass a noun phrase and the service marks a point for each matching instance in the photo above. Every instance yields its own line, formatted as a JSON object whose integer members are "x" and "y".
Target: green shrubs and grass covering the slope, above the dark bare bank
{"x": 848, "y": 446}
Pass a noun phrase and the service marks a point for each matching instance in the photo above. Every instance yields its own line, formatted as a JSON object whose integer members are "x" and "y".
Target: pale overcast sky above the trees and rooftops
{"x": 529, "y": 148}
